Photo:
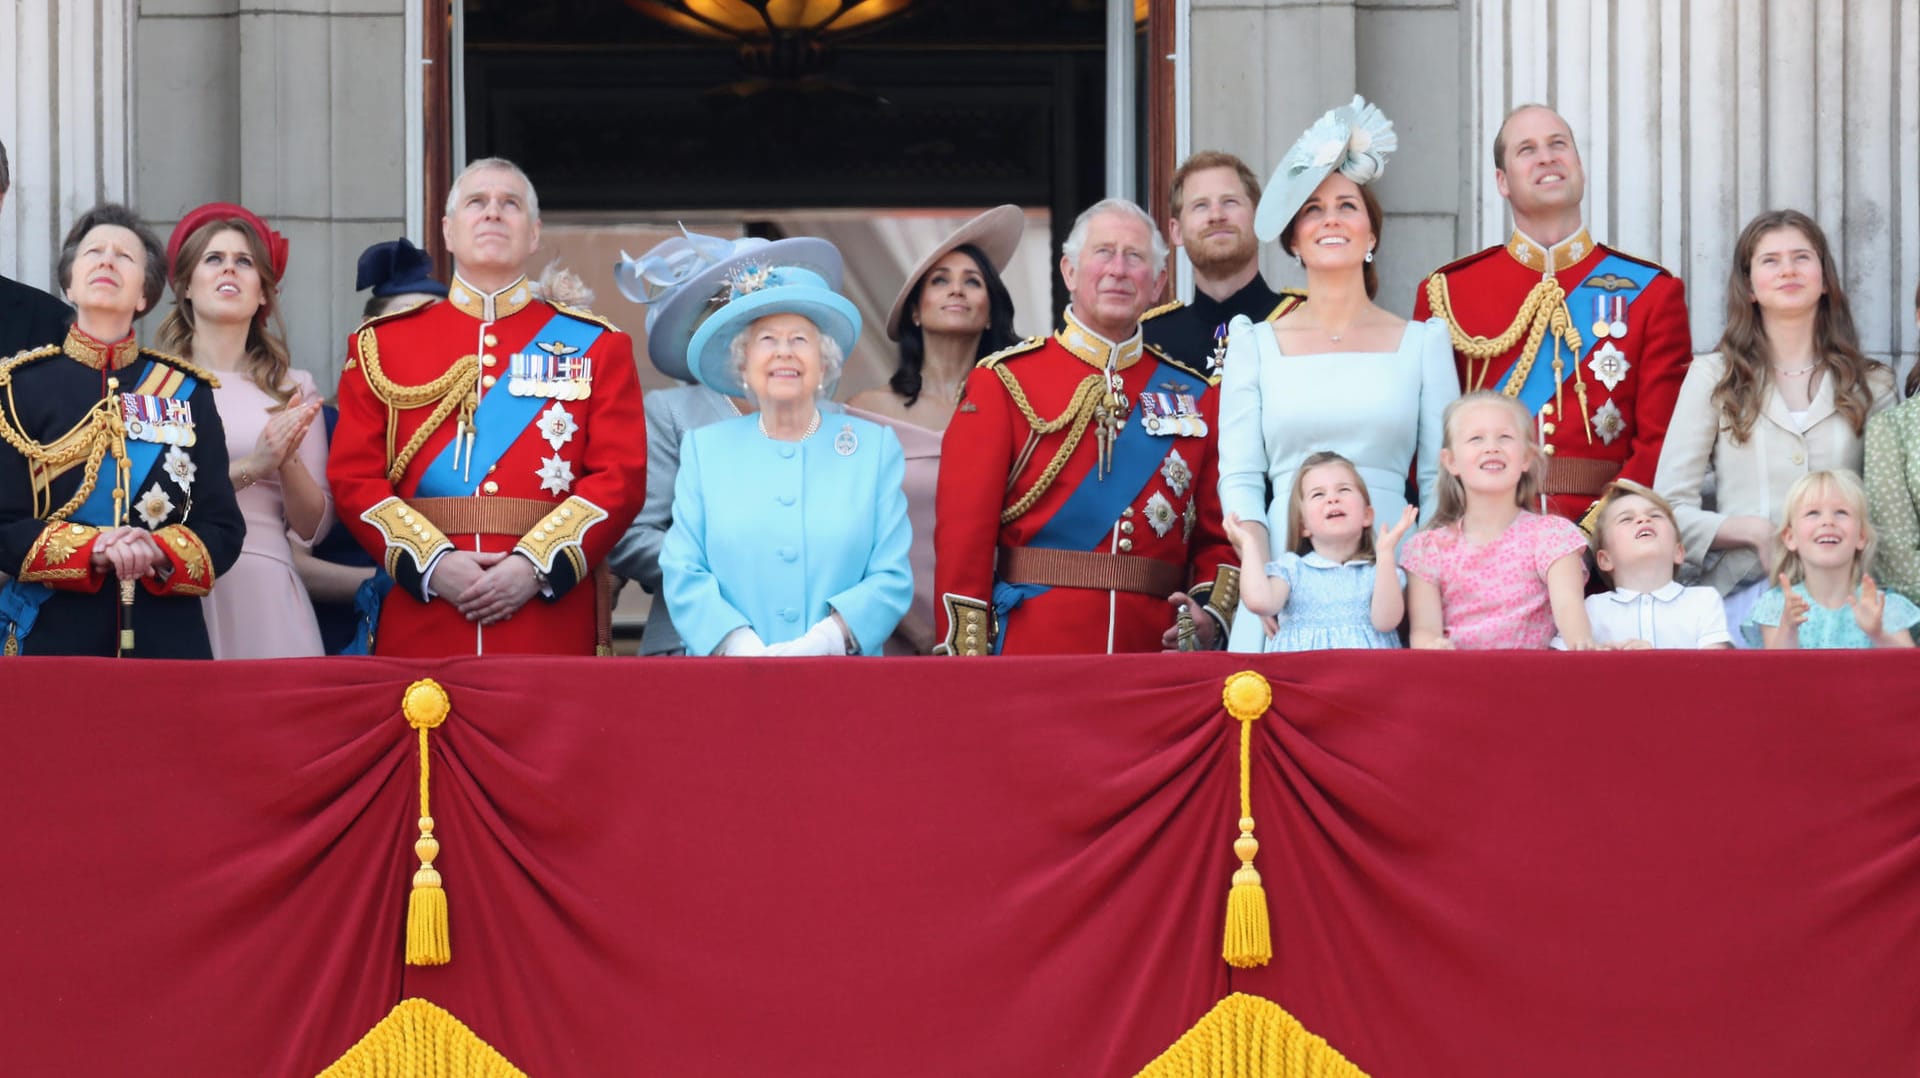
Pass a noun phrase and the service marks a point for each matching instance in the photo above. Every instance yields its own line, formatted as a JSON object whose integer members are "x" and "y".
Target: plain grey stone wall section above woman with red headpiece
{"x": 293, "y": 109}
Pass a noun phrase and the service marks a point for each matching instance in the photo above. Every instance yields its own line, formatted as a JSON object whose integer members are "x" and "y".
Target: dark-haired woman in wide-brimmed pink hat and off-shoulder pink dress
{"x": 949, "y": 316}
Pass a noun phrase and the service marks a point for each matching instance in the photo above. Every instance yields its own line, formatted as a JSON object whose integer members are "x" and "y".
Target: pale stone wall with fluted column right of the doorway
{"x": 1692, "y": 116}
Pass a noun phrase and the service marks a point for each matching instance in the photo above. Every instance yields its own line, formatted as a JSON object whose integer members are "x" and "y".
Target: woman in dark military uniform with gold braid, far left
{"x": 116, "y": 512}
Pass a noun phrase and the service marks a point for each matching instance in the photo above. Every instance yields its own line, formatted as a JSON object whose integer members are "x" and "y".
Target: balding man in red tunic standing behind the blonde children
{"x": 1593, "y": 341}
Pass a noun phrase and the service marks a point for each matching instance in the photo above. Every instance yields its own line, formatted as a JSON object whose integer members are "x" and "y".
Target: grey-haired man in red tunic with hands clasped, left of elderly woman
{"x": 491, "y": 449}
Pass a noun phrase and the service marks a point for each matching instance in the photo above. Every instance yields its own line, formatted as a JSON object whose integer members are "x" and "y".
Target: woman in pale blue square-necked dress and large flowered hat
{"x": 1339, "y": 372}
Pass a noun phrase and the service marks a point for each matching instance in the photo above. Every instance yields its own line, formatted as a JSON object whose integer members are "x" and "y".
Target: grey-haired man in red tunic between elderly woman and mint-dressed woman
{"x": 1078, "y": 501}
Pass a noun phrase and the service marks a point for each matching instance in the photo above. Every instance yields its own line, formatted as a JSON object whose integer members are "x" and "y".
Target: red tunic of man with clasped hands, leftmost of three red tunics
{"x": 564, "y": 491}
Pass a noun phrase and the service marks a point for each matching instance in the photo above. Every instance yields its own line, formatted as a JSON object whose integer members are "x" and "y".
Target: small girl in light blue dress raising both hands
{"x": 1337, "y": 585}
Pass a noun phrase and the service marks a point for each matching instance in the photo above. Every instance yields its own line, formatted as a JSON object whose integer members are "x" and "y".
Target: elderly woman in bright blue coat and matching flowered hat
{"x": 790, "y": 527}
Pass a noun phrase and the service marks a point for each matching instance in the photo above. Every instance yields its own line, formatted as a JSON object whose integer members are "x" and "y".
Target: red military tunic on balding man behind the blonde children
{"x": 1629, "y": 393}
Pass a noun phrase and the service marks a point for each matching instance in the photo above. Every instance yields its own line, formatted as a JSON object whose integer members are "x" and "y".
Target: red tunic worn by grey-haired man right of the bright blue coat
{"x": 1166, "y": 535}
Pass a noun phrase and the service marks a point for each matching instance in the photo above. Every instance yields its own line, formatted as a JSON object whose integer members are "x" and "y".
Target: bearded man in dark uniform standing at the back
{"x": 1214, "y": 199}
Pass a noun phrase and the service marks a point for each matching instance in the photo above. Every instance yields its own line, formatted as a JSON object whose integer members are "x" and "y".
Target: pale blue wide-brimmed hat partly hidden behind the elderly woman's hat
{"x": 684, "y": 280}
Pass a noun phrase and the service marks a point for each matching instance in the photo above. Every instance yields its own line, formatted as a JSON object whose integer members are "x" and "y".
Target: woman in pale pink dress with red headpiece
{"x": 226, "y": 270}
